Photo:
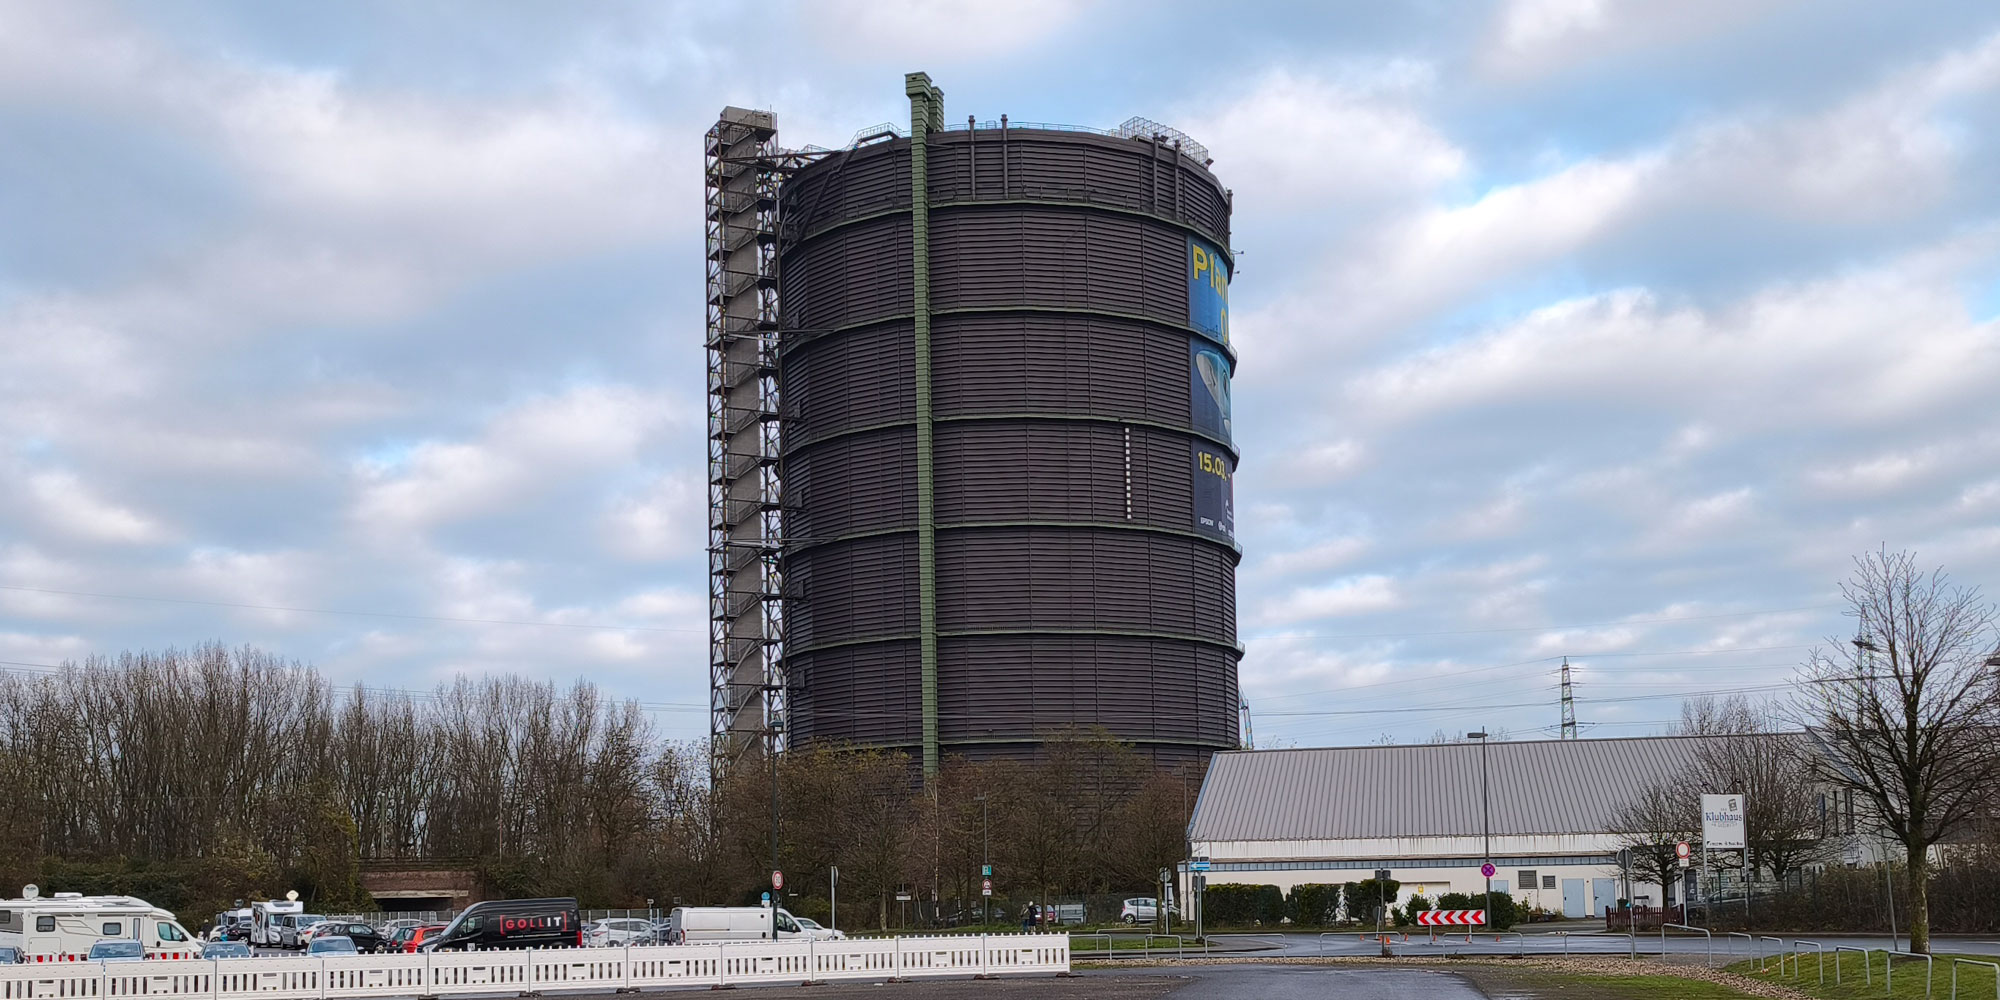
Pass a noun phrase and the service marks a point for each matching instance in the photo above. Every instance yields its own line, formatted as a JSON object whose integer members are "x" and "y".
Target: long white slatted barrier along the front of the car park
{"x": 437, "y": 975}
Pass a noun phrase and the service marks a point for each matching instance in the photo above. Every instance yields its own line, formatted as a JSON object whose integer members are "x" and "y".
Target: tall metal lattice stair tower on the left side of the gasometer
{"x": 745, "y": 517}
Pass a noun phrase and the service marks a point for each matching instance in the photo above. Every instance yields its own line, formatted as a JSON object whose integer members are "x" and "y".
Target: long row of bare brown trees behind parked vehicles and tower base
{"x": 213, "y": 773}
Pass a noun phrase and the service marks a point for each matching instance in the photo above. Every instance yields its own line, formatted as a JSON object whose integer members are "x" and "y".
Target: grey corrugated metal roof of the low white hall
{"x": 1347, "y": 793}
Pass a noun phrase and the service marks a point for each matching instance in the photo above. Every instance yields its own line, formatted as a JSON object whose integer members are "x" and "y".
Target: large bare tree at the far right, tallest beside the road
{"x": 1905, "y": 711}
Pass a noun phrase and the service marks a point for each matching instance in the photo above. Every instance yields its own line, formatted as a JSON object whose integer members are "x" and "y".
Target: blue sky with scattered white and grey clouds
{"x": 371, "y": 333}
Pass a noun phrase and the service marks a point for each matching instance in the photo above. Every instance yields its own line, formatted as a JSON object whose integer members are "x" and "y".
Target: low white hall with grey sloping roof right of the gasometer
{"x": 1337, "y": 815}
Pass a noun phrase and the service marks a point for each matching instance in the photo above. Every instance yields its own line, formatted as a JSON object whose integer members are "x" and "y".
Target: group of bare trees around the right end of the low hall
{"x": 1889, "y": 737}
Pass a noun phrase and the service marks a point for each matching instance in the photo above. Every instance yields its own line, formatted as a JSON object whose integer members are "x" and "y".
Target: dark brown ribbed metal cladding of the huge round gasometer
{"x": 1077, "y": 581}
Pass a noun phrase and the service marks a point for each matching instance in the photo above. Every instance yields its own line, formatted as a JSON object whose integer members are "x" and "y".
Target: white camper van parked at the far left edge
{"x": 63, "y": 927}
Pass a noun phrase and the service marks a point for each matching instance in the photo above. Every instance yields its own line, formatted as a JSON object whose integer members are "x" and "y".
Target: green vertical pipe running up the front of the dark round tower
{"x": 927, "y": 113}
